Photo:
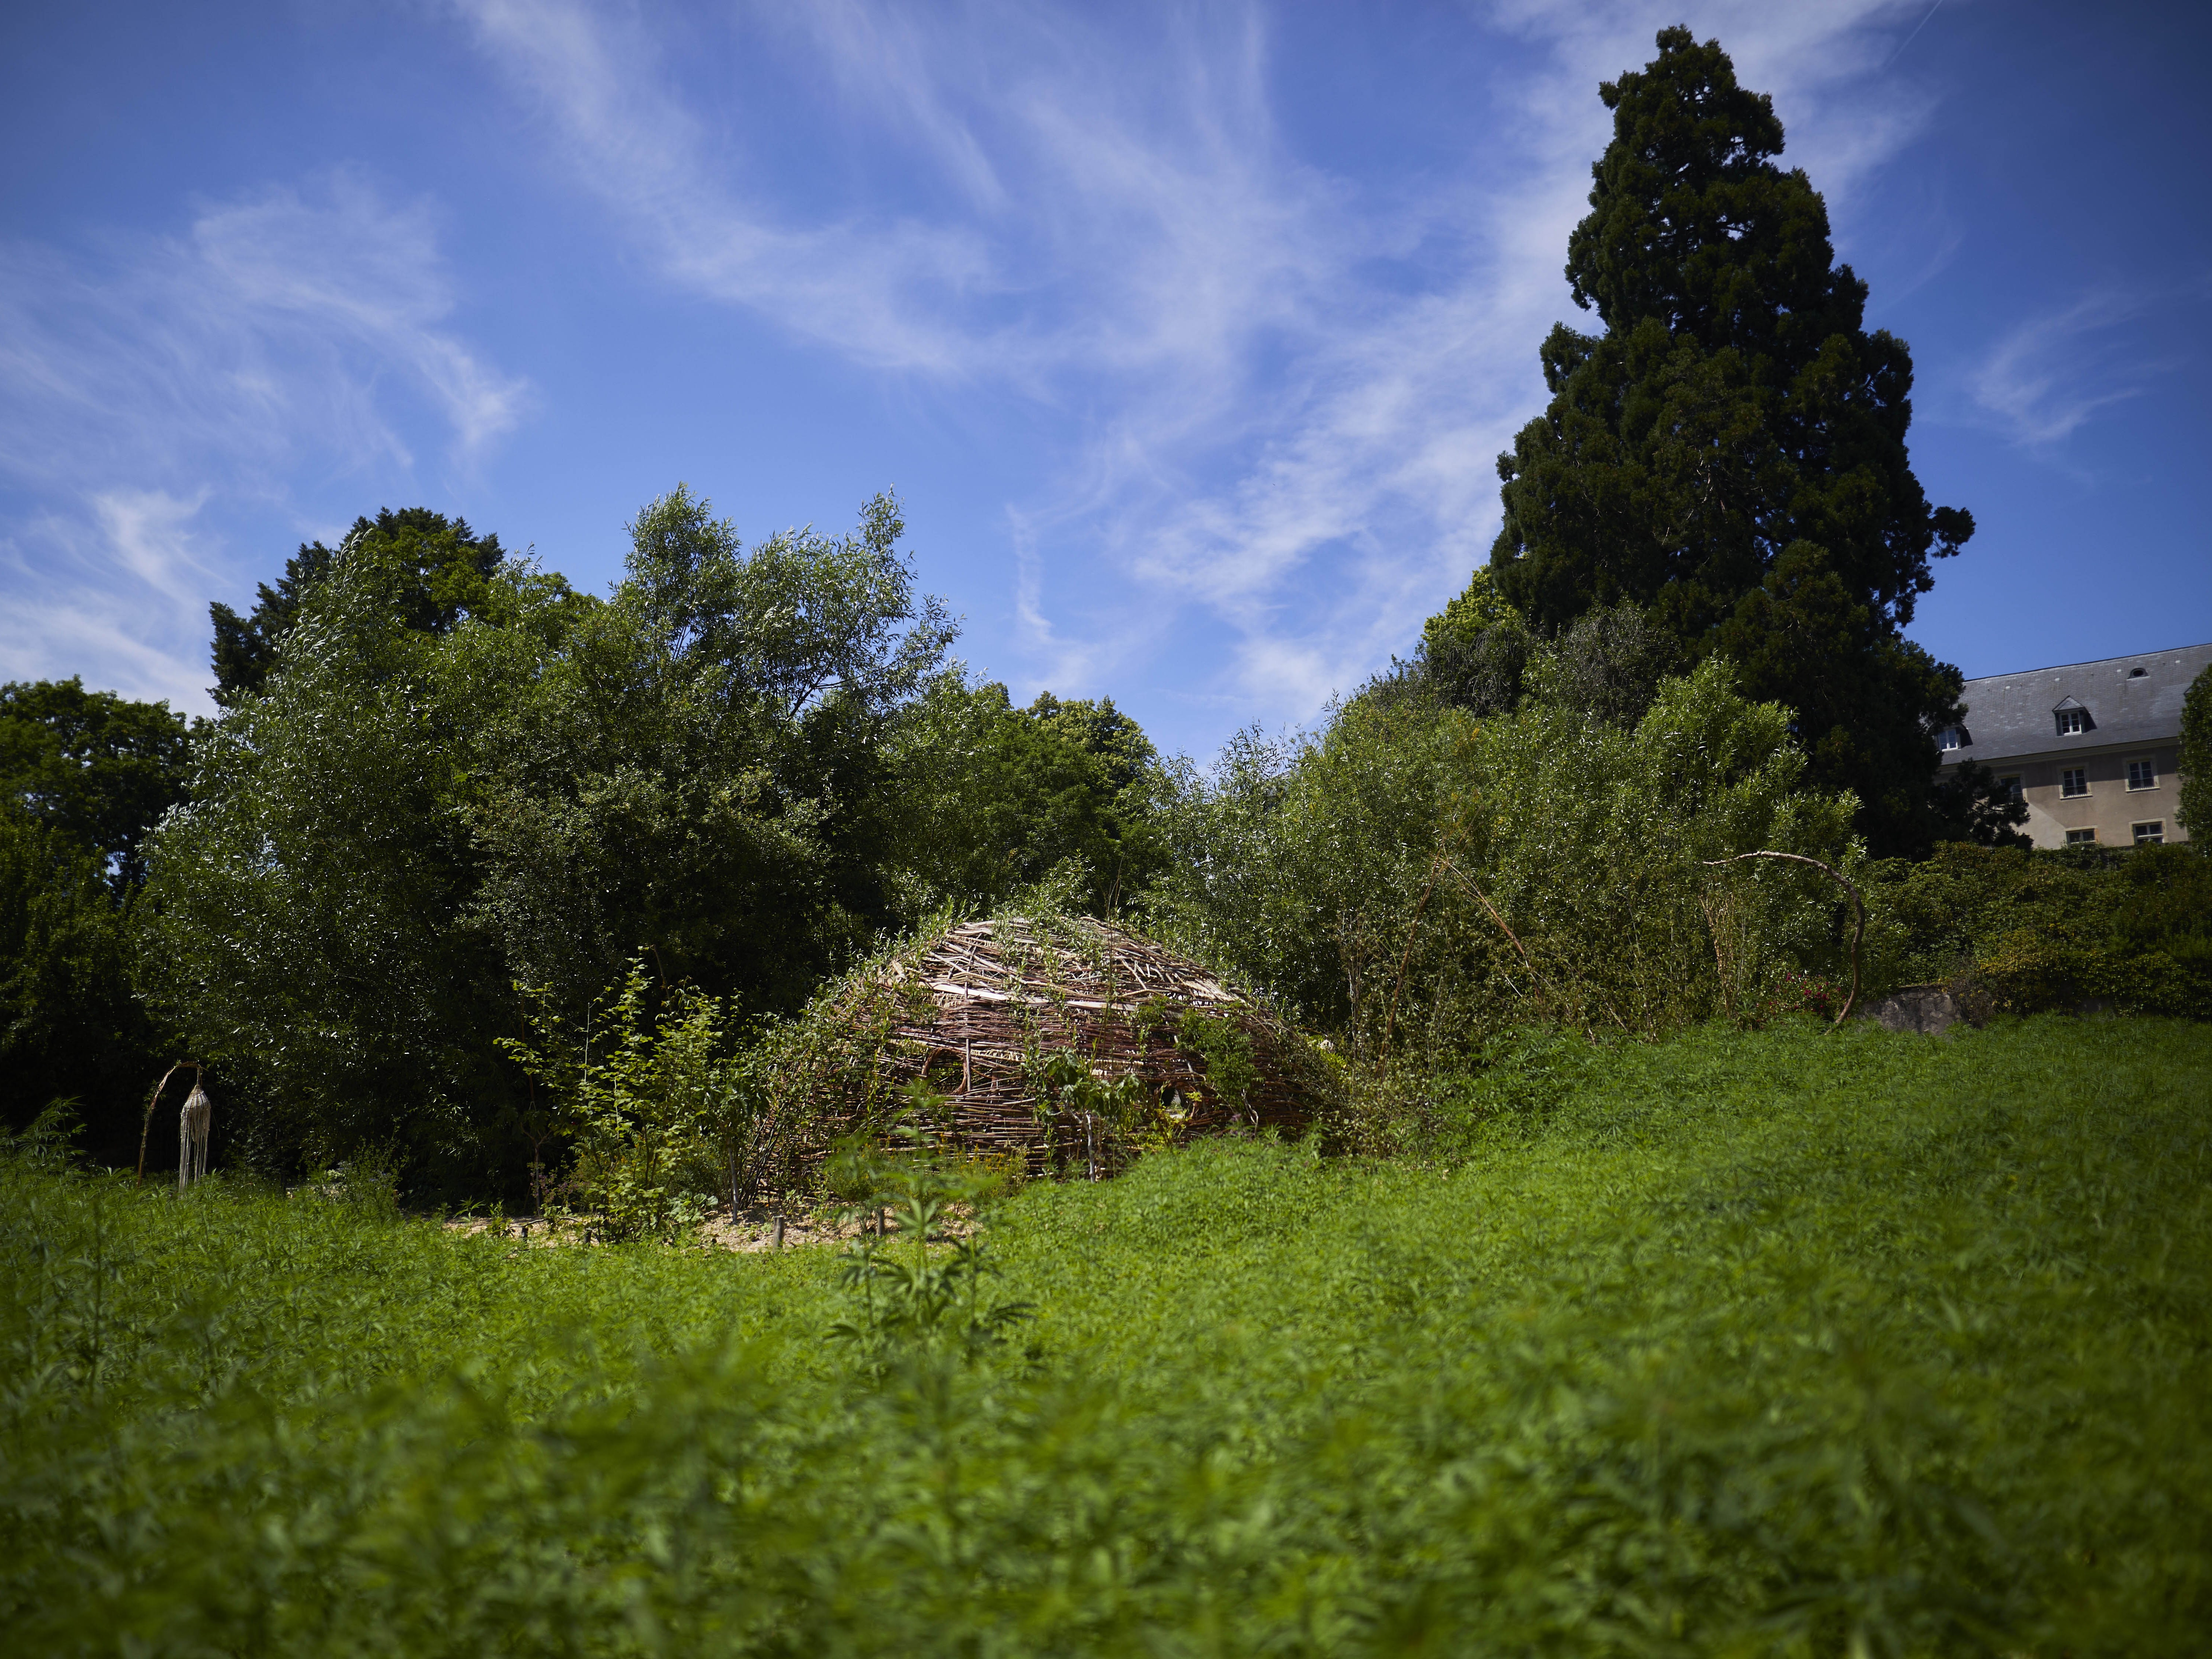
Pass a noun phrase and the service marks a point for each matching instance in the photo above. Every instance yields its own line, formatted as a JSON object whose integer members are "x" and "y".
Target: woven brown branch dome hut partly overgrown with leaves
{"x": 983, "y": 1010}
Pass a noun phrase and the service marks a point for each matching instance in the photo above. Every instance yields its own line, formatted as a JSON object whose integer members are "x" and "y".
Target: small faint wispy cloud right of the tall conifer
{"x": 2049, "y": 375}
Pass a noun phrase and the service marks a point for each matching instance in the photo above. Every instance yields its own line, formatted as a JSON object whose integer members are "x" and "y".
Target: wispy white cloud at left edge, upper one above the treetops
{"x": 267, "y": 331}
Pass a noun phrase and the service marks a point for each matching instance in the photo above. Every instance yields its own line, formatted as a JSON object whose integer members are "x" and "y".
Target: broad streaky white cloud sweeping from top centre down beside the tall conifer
{"x": 1282, "y": 393}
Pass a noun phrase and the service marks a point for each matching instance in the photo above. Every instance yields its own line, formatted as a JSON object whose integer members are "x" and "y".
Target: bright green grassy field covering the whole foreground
{"x": 1786, "y": 1344}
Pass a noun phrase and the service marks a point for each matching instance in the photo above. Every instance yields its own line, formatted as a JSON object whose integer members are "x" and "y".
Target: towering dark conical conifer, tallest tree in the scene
{"x": 1729, "y": 455}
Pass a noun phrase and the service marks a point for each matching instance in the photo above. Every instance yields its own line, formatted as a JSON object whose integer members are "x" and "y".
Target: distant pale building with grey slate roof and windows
{"x": 2091, "y": 747}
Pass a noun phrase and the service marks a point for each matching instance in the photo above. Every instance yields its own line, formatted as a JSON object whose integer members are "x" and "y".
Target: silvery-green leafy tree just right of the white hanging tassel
{"x": 304, "y": 924}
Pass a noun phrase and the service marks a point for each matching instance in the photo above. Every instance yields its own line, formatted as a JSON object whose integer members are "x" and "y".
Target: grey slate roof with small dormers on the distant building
{"x": 2129, "y": 700}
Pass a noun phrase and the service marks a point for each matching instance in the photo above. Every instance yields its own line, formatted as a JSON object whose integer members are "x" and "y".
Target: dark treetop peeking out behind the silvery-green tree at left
{"x": 448, "y": 570}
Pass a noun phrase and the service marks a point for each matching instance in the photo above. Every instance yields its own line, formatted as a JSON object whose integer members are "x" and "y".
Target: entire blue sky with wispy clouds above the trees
{"x": 1189, "y": 335}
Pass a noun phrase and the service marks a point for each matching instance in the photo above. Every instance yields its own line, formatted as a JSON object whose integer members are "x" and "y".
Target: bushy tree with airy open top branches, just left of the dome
{"x": 702, "y": 766}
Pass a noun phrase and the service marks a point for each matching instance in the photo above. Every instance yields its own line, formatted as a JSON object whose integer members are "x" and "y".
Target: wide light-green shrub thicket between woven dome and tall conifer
{"x": 1421, "y": 877}
